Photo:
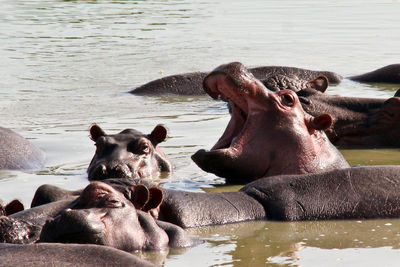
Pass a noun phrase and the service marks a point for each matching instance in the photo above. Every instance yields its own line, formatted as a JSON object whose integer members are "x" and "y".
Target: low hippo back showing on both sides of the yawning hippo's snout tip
{"x": 191, "y": 83}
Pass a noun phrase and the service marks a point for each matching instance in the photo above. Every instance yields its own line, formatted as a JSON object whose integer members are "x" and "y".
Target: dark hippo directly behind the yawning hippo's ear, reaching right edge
{"x": 358, "y": 122}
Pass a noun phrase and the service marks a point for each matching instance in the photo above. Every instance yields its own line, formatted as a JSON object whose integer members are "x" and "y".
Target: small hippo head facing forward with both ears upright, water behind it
{"x": 128, "y": 154}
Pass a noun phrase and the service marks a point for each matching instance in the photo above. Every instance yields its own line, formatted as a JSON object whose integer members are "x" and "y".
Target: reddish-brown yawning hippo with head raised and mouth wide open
{"x": 268, "y": 134}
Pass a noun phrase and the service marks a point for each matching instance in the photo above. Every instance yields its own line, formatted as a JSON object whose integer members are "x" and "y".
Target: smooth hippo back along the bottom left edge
{"x": 45, "y": 254}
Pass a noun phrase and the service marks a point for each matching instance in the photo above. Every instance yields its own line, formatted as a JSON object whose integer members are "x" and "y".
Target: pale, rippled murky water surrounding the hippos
{"x": 67, "y": 64}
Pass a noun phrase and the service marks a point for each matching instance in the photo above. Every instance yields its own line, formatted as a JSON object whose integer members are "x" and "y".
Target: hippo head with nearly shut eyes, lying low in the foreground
{"x": 104, "y": 216}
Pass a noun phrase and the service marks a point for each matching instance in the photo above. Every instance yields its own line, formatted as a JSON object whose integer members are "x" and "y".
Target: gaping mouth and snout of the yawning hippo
{"x": 239, "y": 152}
